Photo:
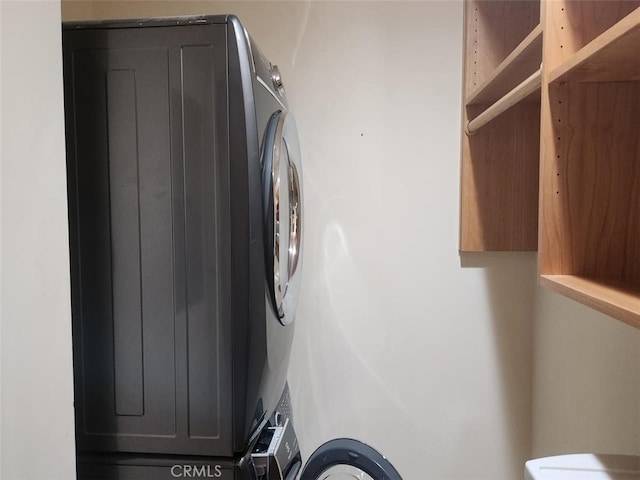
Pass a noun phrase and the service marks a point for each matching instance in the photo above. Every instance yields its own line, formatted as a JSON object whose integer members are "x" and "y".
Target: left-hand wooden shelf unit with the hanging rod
{"x": 499, "y": 166}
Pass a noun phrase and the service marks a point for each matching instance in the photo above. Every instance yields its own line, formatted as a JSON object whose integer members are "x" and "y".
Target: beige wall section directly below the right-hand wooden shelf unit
{"x": 586, "y": 381}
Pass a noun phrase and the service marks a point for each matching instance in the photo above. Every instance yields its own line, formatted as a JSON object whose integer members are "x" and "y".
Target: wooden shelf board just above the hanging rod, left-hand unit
{"x": 521, "y": 62}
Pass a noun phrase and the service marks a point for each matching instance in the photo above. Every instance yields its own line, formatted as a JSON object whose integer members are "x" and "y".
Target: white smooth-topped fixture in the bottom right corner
{"x": 584, "y": 466}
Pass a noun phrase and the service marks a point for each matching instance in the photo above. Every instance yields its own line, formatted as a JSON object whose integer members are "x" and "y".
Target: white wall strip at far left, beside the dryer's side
{"x": 36, "y": 432}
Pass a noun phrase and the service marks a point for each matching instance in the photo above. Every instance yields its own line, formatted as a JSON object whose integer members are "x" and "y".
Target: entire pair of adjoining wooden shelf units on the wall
{"x": 559, "y": 171}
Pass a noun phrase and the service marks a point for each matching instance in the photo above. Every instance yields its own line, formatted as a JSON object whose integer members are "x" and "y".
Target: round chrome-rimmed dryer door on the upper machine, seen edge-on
{"x": 282, "y": 189}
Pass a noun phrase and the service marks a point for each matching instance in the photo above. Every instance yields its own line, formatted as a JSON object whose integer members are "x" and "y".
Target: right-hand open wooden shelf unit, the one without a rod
{"x": 589, "y": 245}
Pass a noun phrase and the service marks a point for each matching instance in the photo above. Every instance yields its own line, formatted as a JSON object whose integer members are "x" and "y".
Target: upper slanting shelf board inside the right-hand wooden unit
{"x": 613, "y": 56}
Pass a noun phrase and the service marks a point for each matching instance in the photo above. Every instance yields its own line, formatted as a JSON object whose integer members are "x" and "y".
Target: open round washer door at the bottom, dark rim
{"x": 348, "y": 459}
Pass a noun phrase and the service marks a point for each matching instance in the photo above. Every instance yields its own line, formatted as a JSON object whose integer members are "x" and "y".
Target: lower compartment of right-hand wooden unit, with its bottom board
{"x": 590, "y": 175}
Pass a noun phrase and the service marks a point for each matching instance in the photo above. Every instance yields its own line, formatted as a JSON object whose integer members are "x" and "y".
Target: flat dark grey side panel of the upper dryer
{"x": 148, "y": 159}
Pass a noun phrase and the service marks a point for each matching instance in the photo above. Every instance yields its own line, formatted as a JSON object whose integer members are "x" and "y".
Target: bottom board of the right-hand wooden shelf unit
{"x": 614, "y": 297}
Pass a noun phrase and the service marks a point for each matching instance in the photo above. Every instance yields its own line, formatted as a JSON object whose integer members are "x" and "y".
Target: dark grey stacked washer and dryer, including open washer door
{"x": 185, "y": 218}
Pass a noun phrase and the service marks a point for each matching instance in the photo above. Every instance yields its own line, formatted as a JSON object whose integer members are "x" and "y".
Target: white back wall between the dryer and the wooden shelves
{"x": 398, "y": 345}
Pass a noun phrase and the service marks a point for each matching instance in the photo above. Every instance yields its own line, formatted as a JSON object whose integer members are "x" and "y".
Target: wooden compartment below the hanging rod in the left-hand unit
{"x": 499, "y": 183}
